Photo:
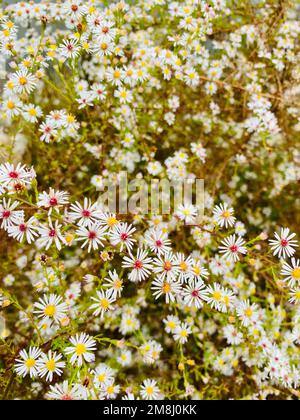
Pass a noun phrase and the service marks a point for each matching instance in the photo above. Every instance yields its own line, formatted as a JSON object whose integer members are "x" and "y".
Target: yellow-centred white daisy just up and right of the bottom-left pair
{"x": 81, "y": 350}
